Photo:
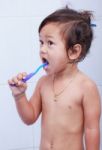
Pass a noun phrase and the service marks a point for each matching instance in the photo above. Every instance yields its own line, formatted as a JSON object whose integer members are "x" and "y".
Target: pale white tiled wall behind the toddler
{"x": 19, "y": 51}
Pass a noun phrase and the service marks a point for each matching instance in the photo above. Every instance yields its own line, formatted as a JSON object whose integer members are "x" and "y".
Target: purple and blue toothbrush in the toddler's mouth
{"x": 33, "y": 73}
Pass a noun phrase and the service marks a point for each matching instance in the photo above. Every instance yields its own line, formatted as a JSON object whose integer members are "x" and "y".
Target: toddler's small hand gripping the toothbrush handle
{"x": 17, "y": 86}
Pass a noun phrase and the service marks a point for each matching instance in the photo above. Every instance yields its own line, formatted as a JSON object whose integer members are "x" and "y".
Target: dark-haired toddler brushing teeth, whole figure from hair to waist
{"x": 67, "y": 98}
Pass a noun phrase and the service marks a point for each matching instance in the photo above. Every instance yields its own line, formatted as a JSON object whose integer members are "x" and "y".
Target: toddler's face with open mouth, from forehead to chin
{"x": 52, "y": 48}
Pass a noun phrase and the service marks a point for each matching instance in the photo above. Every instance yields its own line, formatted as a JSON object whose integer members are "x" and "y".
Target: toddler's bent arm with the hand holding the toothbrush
{"x": 28, "y": 110}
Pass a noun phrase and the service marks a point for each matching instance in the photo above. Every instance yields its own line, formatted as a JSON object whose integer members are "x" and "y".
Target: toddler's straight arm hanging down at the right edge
{"x": 91, "y": 105}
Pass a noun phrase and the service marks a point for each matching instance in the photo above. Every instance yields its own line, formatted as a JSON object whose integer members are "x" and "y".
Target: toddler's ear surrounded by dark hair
{"x": 74, "y": 53}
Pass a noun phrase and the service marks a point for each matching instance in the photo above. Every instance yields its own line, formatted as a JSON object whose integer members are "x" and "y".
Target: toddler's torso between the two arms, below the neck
{"x": 62, "y": 118}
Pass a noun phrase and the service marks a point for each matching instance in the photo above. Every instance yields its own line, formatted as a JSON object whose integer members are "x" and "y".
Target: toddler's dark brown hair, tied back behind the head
{"x": 80, "y": 31}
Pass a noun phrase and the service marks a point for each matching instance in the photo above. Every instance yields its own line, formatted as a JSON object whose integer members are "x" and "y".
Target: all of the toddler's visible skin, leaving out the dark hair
{"x": 76, "y": 110}
